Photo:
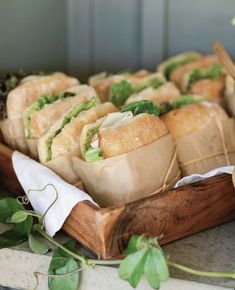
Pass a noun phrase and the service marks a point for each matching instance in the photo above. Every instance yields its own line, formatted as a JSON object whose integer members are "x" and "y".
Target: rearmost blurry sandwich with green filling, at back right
{"x": 172, "y": 63}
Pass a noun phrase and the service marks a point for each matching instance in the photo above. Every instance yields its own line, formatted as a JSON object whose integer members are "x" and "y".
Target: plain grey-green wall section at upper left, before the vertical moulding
{"x": 33, "y": 34}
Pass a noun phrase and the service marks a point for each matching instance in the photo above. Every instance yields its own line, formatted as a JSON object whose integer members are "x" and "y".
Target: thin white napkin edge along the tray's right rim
{"x": 197, "y": 177}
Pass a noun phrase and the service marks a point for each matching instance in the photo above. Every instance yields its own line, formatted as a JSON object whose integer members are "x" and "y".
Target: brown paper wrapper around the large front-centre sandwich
{"x": 130, "y": 176}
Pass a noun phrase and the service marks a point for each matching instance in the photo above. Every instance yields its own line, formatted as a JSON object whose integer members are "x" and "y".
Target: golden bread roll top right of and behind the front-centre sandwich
{"x": 191, "y": 118}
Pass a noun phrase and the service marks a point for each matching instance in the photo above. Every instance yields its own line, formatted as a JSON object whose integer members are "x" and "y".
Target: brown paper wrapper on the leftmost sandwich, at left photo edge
{"x": 13, "y": 134}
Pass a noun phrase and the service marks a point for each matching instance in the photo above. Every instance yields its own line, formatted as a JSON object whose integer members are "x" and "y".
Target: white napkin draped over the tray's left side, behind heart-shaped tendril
{"x": 33, "y": 175}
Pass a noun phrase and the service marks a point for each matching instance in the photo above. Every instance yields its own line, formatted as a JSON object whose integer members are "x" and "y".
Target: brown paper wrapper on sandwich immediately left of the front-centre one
{"x": 63, "y": 167}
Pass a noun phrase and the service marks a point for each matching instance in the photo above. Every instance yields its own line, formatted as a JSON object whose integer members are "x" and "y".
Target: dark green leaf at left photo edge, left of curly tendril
{"x": 8, "y": 206}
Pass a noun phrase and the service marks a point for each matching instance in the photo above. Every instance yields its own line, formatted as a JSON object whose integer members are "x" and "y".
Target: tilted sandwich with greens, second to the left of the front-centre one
{"x": 48, "y": 108}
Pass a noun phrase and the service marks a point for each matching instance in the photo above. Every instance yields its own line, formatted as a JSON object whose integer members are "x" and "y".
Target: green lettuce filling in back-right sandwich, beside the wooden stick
{"x": 198, "y": 74}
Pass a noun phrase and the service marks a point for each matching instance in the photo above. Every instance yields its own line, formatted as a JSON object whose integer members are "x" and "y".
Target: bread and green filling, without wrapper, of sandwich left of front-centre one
{"x": 63, "y": 136}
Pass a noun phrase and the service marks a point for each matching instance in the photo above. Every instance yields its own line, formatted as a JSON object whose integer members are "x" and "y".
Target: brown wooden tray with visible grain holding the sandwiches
{"x": 174, "y": 213}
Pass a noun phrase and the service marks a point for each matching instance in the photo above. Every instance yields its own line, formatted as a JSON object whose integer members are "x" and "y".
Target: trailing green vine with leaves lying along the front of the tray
{"x": 142, "y": 257}
